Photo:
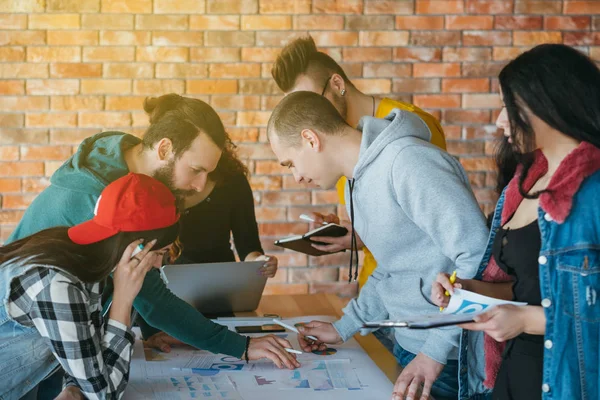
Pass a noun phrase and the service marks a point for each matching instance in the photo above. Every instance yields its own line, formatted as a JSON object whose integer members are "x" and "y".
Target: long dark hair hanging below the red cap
{"x": 90, "y": 263}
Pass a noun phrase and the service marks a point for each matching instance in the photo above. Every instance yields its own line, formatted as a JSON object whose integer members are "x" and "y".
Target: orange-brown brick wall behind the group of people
{"x": 70, "y": 68}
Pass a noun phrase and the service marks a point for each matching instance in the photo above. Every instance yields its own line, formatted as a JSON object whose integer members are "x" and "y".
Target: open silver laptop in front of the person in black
{"x": 216, "y": 288}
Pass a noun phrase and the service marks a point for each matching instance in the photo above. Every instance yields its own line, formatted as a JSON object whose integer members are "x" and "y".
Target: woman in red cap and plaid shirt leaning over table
{"x": 51, "y": 285}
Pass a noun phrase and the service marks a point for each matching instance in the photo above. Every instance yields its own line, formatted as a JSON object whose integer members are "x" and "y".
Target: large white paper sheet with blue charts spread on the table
{"x": 344, "y": 372}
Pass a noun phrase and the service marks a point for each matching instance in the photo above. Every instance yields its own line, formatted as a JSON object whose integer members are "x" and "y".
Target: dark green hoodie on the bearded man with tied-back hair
{"x": 70, "y": 200}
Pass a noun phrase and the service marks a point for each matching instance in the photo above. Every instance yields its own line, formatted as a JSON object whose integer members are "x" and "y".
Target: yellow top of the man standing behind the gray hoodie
{"x": 437, "y": 137}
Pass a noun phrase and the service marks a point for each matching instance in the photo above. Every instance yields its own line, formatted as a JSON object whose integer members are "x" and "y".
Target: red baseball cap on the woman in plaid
{"x": 133, "y": 203}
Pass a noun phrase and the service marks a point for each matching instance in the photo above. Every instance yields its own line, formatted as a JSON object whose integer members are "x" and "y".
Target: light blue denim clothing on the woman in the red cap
{"x": 25, "y": 357}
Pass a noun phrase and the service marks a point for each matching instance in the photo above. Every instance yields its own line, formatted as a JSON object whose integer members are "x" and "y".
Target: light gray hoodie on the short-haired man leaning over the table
{"x": 415, "y": 211}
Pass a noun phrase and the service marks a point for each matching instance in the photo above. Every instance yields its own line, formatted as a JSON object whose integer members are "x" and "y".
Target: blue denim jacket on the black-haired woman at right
{"x": 569, "y": 270}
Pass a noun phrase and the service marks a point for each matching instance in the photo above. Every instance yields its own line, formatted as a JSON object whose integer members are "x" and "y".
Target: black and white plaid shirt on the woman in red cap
{"x": 94, "y": 355}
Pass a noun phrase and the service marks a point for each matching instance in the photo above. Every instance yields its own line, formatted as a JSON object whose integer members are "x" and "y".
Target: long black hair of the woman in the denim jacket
{"x": 558, "y": 84}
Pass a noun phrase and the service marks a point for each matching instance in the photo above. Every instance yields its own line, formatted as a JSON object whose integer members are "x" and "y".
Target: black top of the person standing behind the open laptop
{"x": 206, "y": 228}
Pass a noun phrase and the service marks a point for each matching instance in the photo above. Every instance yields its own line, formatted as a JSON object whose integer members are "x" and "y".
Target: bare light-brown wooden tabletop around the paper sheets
{"x": 289, "y": 306}
